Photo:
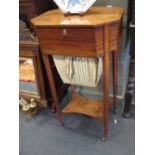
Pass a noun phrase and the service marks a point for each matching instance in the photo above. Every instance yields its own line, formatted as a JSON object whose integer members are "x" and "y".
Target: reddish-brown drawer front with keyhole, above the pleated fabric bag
{"x": 77, "y": 41}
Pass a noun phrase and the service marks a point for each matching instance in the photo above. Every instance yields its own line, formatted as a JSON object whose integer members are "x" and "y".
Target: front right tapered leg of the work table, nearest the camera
{"x": 106, "y": 64}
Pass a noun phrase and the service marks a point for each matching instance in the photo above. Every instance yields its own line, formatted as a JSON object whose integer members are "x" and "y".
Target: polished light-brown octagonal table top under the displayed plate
{"x": 96, "y": 16}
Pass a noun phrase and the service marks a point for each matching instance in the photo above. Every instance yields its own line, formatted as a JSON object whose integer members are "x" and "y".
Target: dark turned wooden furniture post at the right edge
{"x": 131, "y": 77}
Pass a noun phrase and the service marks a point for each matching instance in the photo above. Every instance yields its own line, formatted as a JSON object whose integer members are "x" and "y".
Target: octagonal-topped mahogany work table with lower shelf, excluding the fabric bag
{"x": 95, "y": 34}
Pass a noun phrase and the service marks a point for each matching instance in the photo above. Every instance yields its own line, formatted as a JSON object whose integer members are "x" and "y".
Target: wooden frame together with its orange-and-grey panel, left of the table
{"x": 31, "y": 79}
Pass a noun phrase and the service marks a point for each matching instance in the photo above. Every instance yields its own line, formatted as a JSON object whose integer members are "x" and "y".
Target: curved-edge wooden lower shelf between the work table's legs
{"x": 83, "y": 105}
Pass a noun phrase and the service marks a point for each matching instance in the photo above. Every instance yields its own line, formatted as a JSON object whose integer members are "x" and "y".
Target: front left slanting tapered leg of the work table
{"x": 52, "y": 86}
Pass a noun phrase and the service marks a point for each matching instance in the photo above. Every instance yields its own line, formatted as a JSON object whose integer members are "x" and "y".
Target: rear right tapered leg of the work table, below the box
{"x": 115, "y": 78}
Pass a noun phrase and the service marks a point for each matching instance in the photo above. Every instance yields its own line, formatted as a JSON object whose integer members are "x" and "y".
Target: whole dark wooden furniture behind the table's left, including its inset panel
{"x": 33, "y": 80}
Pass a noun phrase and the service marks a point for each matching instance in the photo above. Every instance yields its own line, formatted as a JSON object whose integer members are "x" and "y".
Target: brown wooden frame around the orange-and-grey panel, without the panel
{"x": 30, "y": 49}
